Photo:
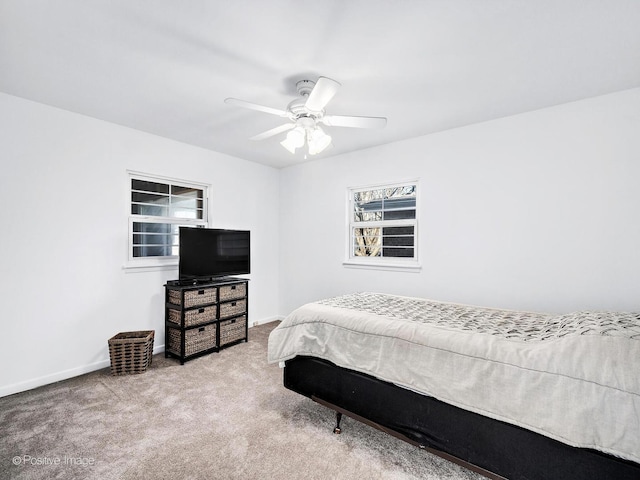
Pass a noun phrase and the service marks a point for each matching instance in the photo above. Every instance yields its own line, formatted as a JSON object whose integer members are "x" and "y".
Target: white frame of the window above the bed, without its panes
{"x": 381, "y": 263}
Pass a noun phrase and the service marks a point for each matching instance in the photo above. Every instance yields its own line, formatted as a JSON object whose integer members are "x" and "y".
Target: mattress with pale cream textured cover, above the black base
{"x": 572, "y": 377}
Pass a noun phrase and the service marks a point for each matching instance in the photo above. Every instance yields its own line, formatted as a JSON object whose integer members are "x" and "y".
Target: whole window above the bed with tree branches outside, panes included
{"x": 383, "y": 225}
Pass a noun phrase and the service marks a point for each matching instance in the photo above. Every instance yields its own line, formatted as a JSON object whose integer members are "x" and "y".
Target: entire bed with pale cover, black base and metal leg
{"x": 517, "y": 395}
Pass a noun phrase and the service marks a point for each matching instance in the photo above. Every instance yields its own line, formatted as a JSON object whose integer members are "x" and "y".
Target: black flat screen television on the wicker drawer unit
{"x": 208, "y": 253}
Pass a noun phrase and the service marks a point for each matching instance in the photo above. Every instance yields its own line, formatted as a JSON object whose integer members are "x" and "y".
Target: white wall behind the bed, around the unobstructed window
{"x": 539, "y": 211}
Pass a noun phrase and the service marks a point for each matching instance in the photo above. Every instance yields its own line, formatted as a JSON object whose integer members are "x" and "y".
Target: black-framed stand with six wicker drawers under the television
{"x": 204, "y": 316}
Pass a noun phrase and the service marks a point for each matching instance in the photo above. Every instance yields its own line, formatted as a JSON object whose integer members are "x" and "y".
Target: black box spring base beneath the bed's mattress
{"x": 496, "y": 448}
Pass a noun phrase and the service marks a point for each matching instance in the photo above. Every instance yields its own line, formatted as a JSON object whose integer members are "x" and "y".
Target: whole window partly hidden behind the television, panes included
{"x": 158, "y": 207}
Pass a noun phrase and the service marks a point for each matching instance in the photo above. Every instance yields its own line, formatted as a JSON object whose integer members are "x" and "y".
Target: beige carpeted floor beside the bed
{"x": 221, "y": 416}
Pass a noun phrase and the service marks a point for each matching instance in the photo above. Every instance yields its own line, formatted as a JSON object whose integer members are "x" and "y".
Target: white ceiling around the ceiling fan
{"x": 166, "y": 66}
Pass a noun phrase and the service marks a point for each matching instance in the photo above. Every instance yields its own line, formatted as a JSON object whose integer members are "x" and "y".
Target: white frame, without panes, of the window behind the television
{"x": 168, "y": 261}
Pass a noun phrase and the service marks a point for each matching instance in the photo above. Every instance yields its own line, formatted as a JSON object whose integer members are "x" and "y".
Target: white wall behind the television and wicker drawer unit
{"x": 65, "y": 200}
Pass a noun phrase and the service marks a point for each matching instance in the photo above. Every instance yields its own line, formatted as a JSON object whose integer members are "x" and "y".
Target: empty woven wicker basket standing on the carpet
{"x": 131, "y": 352}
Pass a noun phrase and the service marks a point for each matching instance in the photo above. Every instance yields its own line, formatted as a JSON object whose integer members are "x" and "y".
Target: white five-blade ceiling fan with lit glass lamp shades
{"x": 306, "y": 113}
